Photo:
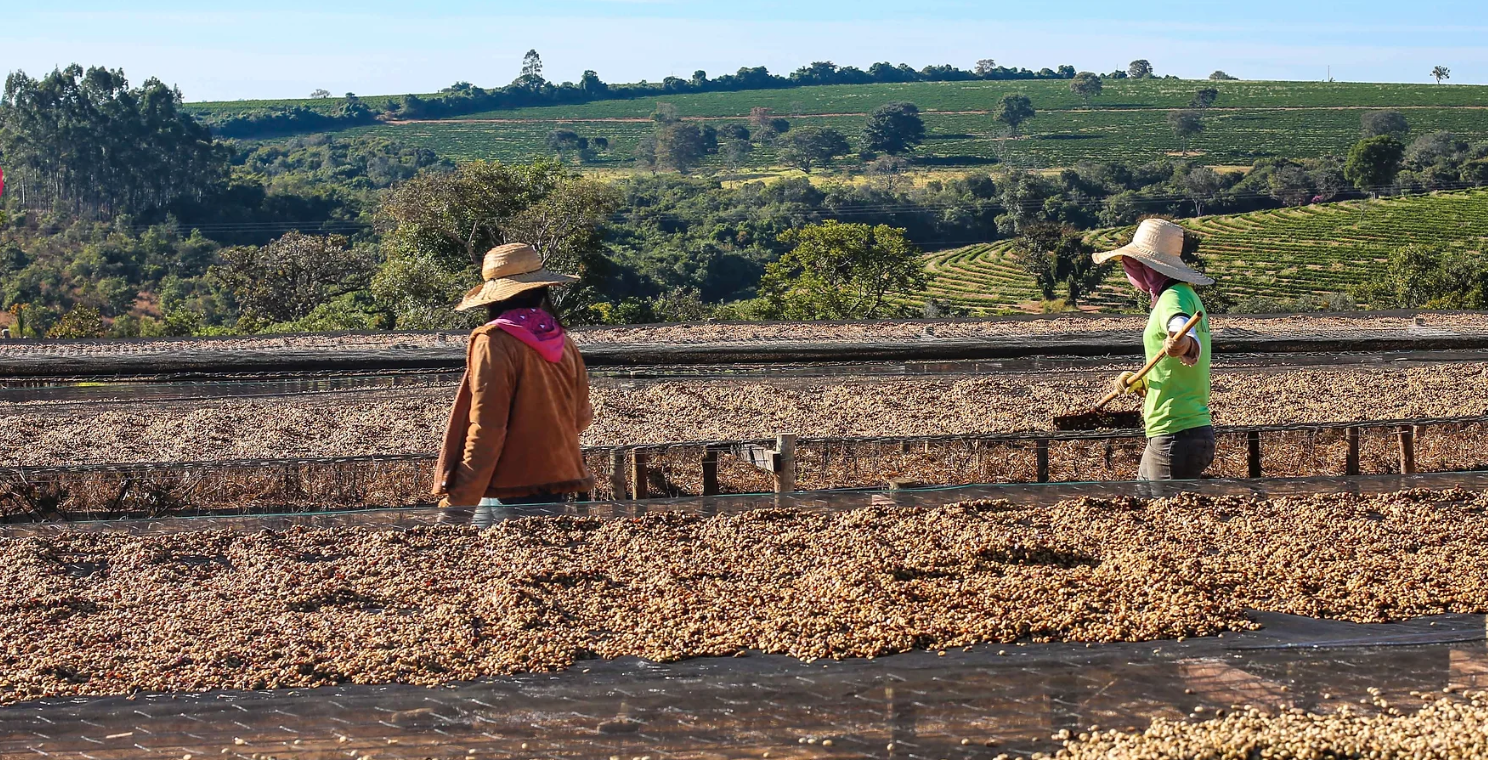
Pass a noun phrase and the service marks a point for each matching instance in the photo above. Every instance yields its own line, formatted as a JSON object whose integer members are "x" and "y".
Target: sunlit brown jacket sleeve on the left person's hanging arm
{"x": 493, "y": 380}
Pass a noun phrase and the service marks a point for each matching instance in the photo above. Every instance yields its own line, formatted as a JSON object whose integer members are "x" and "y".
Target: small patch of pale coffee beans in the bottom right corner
{"x": 1446, "y": 730}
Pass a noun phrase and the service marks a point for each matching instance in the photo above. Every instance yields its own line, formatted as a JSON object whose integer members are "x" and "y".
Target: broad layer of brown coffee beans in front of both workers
{"x": 97, "y": 614}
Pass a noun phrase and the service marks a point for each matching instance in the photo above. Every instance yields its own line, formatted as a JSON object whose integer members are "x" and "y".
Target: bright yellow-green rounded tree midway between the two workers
{"x": 837, "y": 271}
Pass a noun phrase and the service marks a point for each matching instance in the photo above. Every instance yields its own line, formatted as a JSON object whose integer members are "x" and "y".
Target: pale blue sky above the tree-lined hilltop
{"x": 282, "y": 48}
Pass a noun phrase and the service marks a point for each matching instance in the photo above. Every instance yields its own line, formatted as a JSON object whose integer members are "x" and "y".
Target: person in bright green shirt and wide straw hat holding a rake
{"x": 1181, "y": 432}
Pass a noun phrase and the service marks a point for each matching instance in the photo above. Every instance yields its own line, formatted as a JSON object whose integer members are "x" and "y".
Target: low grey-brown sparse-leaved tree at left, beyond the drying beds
{"x": 288, "y": 279}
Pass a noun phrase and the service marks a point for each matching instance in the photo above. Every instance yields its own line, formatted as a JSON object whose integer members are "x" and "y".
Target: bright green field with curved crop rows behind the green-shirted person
{"x": 1282, "y": 254}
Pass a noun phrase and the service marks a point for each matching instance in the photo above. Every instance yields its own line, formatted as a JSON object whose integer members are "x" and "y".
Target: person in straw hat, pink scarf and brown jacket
{"x": 525, "y": 399}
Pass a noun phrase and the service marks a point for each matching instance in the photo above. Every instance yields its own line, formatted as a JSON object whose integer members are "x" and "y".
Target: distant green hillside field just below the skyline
{"x": 1252, "y": 120}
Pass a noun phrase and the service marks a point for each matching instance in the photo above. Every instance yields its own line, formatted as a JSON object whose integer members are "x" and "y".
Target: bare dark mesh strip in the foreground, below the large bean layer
{"x": 974, "y": 703}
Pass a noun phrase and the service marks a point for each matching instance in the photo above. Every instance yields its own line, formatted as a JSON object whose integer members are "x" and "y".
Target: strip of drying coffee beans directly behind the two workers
{"x": 410, "y": 422}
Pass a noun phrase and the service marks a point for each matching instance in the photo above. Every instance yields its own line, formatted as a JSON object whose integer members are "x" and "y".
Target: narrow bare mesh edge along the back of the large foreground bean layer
{"x": 1024, "y": 495}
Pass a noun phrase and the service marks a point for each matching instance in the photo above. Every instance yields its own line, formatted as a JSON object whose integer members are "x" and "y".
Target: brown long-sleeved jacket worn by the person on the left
{"x": 514, "y": 431}
